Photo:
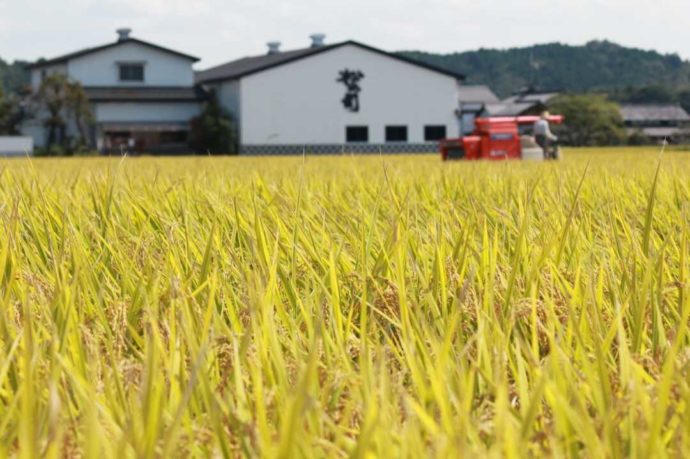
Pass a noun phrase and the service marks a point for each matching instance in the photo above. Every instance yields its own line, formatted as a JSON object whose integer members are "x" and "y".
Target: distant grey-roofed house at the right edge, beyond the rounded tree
{"x": 656, "y": 121}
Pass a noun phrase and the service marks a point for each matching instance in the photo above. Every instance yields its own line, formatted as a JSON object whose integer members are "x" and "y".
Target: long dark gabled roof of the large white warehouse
{"x": 248, "y": 65}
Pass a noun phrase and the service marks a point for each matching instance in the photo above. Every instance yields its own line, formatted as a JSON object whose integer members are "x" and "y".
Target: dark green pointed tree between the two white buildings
{"x": 213, "y": 131}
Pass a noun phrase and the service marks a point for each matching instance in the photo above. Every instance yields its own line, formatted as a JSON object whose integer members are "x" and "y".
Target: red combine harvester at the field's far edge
{"x": 496, "y": 138}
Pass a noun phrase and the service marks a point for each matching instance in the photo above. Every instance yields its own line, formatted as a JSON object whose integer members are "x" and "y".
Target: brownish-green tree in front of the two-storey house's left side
{"x": 63, "y": 101}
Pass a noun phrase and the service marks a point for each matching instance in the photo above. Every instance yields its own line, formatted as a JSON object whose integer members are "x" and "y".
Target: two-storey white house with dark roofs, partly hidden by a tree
{"x": 142, "y": 95}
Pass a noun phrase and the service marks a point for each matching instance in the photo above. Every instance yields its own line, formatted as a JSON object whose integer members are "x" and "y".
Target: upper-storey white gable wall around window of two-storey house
{"x": 160, "y": 68}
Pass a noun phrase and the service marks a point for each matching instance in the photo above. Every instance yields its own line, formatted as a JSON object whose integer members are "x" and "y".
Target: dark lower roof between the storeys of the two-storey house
{"x": 144, "y": 94}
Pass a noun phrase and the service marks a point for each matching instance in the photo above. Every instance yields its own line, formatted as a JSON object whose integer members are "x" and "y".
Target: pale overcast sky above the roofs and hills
{"x": 218, "y": 31}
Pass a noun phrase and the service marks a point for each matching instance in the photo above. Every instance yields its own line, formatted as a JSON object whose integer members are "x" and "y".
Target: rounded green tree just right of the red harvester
{"x": 589, "y": 120}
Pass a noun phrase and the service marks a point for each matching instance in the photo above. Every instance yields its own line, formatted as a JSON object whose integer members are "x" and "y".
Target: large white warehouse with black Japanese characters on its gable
{"x": 336, "y": 97}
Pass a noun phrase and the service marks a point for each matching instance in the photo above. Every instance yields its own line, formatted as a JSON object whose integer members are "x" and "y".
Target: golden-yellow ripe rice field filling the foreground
{"x": 345, "y": 306}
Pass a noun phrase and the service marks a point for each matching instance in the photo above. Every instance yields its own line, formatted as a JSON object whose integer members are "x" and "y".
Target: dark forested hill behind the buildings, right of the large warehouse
{"x": 596, "y": 65}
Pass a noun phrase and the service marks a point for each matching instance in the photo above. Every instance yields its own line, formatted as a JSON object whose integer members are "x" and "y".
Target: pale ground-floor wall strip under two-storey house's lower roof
{"x": 145, "y": 112}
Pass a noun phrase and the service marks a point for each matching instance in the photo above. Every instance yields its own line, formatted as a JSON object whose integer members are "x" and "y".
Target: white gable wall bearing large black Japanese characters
{"x": 301, "y": 102}
